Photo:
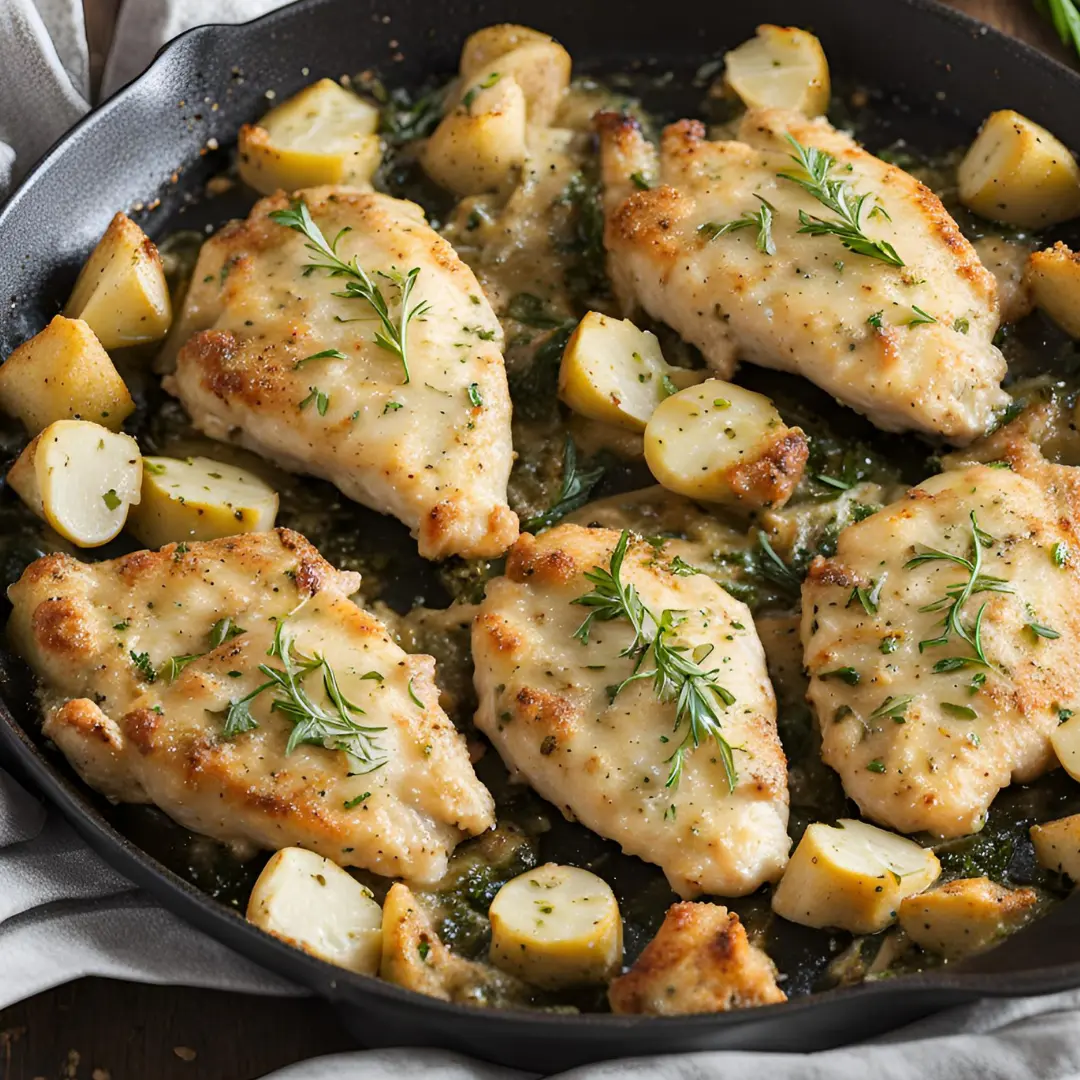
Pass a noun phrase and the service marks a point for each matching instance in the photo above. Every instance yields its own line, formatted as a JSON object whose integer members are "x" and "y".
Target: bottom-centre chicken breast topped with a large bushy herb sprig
{"x": 556, "y": 650}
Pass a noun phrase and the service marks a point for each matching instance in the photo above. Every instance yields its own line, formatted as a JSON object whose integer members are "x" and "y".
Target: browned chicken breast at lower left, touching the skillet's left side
{"x": 235, "y": 685}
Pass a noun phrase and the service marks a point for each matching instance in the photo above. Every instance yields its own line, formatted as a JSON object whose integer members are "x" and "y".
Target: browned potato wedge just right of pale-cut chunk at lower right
{"x": 965, "y": 916}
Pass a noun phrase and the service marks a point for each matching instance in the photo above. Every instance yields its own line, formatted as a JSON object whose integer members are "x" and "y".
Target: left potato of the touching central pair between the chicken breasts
{"x": 615, "y": 373}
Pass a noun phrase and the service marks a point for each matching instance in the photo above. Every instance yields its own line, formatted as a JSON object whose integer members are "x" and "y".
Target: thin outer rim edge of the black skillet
{"x": 229, "y": 928}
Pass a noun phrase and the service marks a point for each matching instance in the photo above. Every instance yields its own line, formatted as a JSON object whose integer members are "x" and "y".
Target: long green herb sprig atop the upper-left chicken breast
{"x": 360, "y": 286}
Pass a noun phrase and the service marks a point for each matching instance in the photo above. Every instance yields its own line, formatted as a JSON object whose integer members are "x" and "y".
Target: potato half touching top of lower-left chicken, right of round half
{"x": 200, "y": 499}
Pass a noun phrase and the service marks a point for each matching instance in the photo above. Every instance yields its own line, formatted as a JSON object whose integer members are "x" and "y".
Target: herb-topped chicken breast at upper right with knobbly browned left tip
{"x": 874, "y": 293}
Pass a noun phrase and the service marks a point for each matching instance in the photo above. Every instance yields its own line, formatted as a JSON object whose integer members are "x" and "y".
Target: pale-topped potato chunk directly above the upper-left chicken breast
{"x": 323, "y": 136}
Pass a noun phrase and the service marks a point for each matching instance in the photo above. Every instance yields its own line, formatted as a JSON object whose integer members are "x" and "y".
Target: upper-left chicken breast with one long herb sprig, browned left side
{"x": 285, "y": 352}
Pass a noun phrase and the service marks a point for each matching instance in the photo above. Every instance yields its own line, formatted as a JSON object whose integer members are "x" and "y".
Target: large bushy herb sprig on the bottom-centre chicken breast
{"x": 677, "y": 673}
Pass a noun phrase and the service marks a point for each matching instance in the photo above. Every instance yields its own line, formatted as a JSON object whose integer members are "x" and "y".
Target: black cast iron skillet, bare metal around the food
{"x": 940, "y": 73}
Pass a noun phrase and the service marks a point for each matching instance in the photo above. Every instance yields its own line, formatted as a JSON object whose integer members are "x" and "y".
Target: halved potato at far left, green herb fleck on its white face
{"x": 82, "y": 479}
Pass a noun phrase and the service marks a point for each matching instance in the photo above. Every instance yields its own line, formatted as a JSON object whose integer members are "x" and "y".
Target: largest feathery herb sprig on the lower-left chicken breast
{"x": 335, "y": 728}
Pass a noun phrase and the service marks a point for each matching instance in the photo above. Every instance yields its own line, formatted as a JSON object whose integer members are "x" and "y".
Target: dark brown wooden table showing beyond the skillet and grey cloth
{"x": 102, "y": 1030}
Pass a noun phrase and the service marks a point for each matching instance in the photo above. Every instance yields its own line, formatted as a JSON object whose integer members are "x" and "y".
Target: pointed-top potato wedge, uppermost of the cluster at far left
{"x": 121, "y": 292}
